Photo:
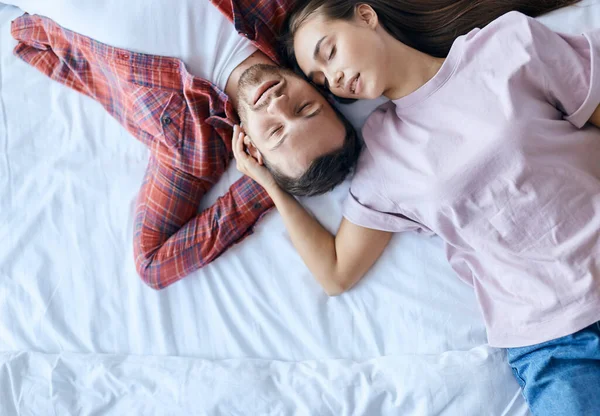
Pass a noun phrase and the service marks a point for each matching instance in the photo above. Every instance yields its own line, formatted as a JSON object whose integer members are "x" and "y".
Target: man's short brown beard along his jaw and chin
{"x": 252, "y": 77}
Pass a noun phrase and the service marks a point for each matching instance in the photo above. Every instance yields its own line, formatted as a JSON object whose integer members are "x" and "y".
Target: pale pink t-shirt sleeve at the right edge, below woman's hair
{"x": 569, "y": 65}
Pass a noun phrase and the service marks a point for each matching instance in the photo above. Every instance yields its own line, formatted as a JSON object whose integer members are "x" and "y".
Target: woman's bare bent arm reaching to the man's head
{"x": 337, "y": 262}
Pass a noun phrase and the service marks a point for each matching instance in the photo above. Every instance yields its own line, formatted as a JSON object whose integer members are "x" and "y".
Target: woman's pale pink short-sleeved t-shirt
{"x": 494, "y": 155}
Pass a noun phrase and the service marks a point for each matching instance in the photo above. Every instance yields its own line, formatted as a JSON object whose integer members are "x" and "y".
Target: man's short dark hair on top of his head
{"x": 325, "y": 172}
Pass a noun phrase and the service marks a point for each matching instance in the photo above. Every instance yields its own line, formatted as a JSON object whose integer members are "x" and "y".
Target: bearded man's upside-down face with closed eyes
{"x": 289, "y": 122}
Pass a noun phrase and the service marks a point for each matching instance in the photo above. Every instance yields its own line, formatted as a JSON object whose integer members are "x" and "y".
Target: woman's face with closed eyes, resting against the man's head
{"x": 346, "y": 57}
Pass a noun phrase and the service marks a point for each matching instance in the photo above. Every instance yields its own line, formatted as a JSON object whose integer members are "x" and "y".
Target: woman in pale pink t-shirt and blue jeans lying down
{"x": 490, "y": 146}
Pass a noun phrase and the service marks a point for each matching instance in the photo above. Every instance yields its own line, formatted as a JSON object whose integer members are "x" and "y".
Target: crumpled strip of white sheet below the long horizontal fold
{"x": 95, "y": 384}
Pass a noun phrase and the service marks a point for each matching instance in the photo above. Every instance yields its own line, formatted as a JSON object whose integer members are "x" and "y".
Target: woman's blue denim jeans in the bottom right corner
{"x": 562, "y": 376}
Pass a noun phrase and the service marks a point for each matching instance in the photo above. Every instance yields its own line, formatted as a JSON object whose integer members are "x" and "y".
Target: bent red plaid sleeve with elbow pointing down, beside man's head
{"x": 171, "y": 240}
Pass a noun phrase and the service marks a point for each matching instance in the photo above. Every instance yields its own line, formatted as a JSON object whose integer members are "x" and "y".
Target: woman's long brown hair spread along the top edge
{"x": 430, "y": 26}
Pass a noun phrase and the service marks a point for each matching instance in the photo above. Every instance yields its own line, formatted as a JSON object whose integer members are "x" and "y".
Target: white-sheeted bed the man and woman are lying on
{"x": 250, "y": 334}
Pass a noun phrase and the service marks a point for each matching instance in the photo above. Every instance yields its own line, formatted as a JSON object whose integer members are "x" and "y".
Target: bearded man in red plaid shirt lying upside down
{"x": 186, "y": 122}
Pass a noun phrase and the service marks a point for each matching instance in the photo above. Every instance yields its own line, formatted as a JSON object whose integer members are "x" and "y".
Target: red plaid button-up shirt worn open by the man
{"x": 184, "y": 120}
